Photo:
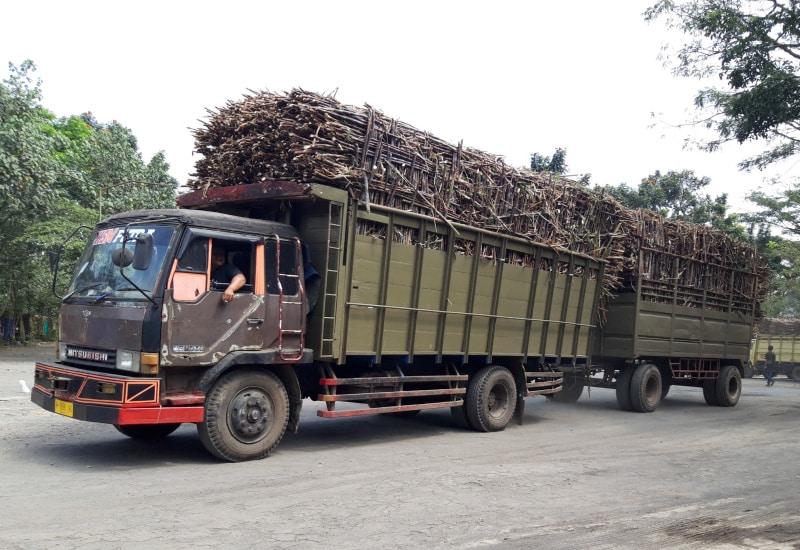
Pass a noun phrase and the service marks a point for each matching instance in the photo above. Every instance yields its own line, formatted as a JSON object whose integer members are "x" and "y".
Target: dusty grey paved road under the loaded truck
{"x": 572, "y": 476}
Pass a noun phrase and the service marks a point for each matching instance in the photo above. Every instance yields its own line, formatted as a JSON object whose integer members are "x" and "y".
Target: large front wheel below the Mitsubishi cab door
{"x": 247, "y": 412}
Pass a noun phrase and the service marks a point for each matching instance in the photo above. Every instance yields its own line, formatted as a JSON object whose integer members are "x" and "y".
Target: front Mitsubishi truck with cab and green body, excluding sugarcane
{"x": 366, "y": 310}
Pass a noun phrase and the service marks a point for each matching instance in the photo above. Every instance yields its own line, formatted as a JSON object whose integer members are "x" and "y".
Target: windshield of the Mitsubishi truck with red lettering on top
{"x": 96, "y": 275}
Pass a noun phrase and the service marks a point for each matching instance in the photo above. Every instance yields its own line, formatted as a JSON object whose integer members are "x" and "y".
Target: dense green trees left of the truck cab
{"x": 57, "y": 174}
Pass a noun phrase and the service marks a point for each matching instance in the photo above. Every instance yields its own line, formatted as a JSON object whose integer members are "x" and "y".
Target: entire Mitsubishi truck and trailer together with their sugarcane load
{"x": 386, "y": 272}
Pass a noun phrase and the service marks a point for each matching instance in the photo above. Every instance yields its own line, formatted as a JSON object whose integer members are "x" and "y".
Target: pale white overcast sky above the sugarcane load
{"x": 508, "y": 77}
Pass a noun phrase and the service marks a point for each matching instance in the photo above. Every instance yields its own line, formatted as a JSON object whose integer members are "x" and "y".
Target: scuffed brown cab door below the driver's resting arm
{"x": 199, "y": 327}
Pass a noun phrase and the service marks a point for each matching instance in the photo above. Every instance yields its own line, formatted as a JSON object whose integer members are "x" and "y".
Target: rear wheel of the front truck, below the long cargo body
{"x": 491, "y": 399}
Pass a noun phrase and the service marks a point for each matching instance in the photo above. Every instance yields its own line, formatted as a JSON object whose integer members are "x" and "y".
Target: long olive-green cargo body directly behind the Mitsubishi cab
{"x": 447, "y": 292}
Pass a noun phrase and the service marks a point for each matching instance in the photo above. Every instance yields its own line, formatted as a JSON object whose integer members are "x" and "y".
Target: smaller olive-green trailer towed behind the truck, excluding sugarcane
{"x": 665, "y": 332}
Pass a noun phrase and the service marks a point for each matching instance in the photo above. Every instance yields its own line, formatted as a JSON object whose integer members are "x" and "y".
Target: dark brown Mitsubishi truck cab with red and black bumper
{"x": 144, "y": 321}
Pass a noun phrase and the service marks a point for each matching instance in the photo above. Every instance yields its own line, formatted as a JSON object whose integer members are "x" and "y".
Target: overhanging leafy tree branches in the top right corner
{"x": 753, "y": 46}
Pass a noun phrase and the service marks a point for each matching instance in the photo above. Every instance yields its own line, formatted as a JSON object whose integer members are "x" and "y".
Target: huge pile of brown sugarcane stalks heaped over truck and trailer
{"x": 313, "y": 138}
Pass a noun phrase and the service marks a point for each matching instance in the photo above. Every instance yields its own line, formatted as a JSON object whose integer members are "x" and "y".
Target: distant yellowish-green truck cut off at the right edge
{"x": 784, "y": 337}
